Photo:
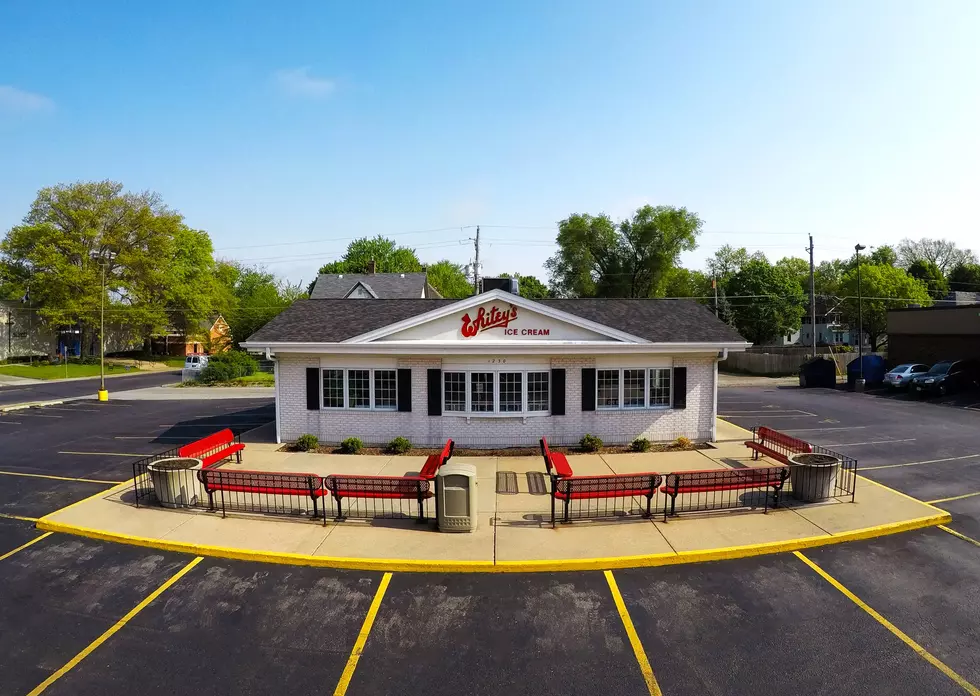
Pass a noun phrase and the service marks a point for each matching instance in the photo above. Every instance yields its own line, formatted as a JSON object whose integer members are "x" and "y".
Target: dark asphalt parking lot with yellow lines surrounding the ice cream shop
{"x": 80, "y": 616}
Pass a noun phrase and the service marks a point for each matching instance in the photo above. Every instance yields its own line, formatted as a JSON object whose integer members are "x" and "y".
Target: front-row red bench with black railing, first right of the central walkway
{"x": 596, "y": 497}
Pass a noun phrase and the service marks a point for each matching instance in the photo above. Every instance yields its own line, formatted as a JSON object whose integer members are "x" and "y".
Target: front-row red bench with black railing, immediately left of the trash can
{"x": 391, "y": 497}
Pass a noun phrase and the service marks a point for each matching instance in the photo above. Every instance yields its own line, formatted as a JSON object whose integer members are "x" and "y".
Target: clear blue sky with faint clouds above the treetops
{"x": 286, "y": 123}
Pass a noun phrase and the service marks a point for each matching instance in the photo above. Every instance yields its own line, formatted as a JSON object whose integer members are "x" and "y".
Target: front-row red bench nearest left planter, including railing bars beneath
{"x": 265, "y": 492}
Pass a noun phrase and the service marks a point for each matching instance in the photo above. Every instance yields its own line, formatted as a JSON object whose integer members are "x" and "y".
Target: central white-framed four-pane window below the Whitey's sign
{"x": 505, "y": 393}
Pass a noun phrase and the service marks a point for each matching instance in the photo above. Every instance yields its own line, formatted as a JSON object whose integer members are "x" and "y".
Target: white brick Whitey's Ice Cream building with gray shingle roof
{"x": 496, "y": 370}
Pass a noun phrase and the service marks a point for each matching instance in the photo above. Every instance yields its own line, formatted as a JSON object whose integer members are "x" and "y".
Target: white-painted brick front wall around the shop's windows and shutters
{"x": 380, "y": 427}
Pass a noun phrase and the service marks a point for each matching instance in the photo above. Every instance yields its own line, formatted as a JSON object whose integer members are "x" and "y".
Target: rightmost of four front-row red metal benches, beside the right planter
{"x": 720, "y": 480}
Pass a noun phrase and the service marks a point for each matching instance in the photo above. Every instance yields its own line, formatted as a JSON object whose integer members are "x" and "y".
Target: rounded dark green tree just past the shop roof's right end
{"x": 767, "y": 301}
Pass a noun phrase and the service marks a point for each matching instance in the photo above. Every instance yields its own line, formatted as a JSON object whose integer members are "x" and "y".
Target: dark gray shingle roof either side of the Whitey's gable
{"x": 332, "y": 321}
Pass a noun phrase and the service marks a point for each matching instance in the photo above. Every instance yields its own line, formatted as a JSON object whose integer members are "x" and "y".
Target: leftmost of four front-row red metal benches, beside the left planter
{"x": 267, "y": 485}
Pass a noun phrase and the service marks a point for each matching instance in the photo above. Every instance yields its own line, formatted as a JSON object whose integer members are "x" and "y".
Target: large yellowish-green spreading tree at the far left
{"x": 73, "y": 231}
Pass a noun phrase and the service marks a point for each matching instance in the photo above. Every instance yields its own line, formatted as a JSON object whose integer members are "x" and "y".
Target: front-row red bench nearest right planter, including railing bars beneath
{"x": 723, "y": 489}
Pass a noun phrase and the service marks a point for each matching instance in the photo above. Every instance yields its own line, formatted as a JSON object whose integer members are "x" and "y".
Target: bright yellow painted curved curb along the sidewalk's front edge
{"x": 569, "y": 564}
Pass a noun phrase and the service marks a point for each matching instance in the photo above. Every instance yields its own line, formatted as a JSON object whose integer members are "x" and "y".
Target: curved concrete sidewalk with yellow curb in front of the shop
{"x": 514, "y": 531}
